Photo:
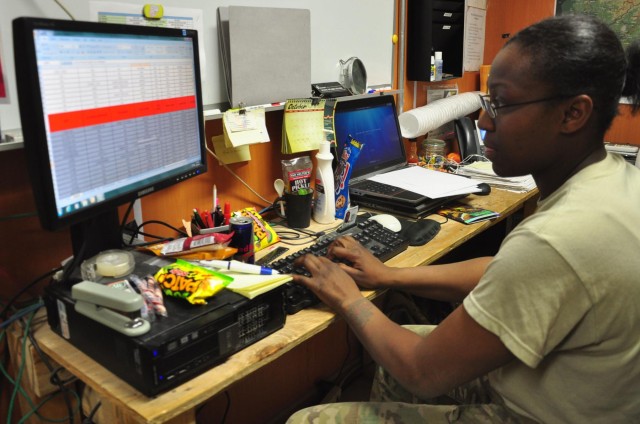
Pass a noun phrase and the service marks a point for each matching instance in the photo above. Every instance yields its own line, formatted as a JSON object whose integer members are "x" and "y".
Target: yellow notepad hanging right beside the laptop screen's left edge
{"x": 303, "y": 125}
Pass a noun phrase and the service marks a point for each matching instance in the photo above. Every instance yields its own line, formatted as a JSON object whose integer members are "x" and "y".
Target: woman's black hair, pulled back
{"x": 579, "y": 54}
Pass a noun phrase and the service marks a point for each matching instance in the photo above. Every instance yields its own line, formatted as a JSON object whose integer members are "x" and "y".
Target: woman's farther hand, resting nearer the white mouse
{"x": 365, "y": 269}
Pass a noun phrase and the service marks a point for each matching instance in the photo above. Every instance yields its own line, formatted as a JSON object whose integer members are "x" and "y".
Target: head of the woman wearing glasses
{"x": 554, "y": 91}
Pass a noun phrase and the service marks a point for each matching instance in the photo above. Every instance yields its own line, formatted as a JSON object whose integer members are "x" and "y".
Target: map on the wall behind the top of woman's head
{"x": 620, "y": 15}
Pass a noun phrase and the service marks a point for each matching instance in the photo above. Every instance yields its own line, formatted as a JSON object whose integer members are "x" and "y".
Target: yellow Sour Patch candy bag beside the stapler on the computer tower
{"x": 191, "y": 282}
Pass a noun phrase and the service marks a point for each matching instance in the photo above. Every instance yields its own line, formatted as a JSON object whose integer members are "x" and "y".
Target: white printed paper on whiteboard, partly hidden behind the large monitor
{"x": 174, "y": 17}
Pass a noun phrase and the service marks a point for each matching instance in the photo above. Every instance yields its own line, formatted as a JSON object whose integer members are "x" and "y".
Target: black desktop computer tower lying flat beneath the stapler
{"x": 189, "y": 341}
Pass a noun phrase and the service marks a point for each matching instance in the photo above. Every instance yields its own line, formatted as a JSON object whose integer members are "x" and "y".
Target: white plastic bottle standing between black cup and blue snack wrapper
{"x": 324, "y": 209}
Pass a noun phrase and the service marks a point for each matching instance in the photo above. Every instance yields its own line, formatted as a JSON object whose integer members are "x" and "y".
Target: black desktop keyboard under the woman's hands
{"x": 383, "y": 243}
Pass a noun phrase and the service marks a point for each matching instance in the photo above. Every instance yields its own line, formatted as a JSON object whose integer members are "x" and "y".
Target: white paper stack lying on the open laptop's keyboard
{"x": 433, "y": 184}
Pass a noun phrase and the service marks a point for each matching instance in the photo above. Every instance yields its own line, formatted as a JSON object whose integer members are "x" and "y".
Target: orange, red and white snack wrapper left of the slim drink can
{"x": 199, "y": 247}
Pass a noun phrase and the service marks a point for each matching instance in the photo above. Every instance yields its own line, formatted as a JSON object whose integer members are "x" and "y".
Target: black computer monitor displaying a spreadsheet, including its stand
{"x": 109, "y": 114}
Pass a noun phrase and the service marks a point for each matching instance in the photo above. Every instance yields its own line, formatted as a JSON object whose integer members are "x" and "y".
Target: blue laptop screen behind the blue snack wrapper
{"x": 373, "y": 121}
